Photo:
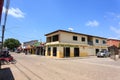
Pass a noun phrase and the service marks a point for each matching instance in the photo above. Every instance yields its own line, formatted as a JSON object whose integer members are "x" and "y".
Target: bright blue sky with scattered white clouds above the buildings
{"x": 32, "y": 19}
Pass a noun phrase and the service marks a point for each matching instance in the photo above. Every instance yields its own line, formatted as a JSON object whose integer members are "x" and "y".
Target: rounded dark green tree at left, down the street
{"x": 11, "y": 43}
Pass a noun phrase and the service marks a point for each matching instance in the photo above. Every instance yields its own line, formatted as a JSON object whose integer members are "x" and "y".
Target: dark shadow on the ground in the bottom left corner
{"x": 6, "y": 74}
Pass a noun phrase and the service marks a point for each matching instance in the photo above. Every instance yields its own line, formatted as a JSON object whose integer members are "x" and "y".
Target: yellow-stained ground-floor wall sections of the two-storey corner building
{"x": 83, "y": 51}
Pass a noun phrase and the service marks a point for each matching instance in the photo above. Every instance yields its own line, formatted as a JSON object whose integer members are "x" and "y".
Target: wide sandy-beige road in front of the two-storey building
{"x": 33, "y": 67}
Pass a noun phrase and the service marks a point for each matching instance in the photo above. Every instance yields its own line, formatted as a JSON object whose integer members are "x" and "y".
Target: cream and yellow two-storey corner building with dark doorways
{"x": 63, "y": 43}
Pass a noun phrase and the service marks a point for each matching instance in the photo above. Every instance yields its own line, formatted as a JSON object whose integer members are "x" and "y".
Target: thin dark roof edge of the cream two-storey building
{"x": 72, "y": 33}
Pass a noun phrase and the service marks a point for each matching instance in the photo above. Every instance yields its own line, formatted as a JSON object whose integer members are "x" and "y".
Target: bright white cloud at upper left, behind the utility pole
{"x": 15, "y": 12}
